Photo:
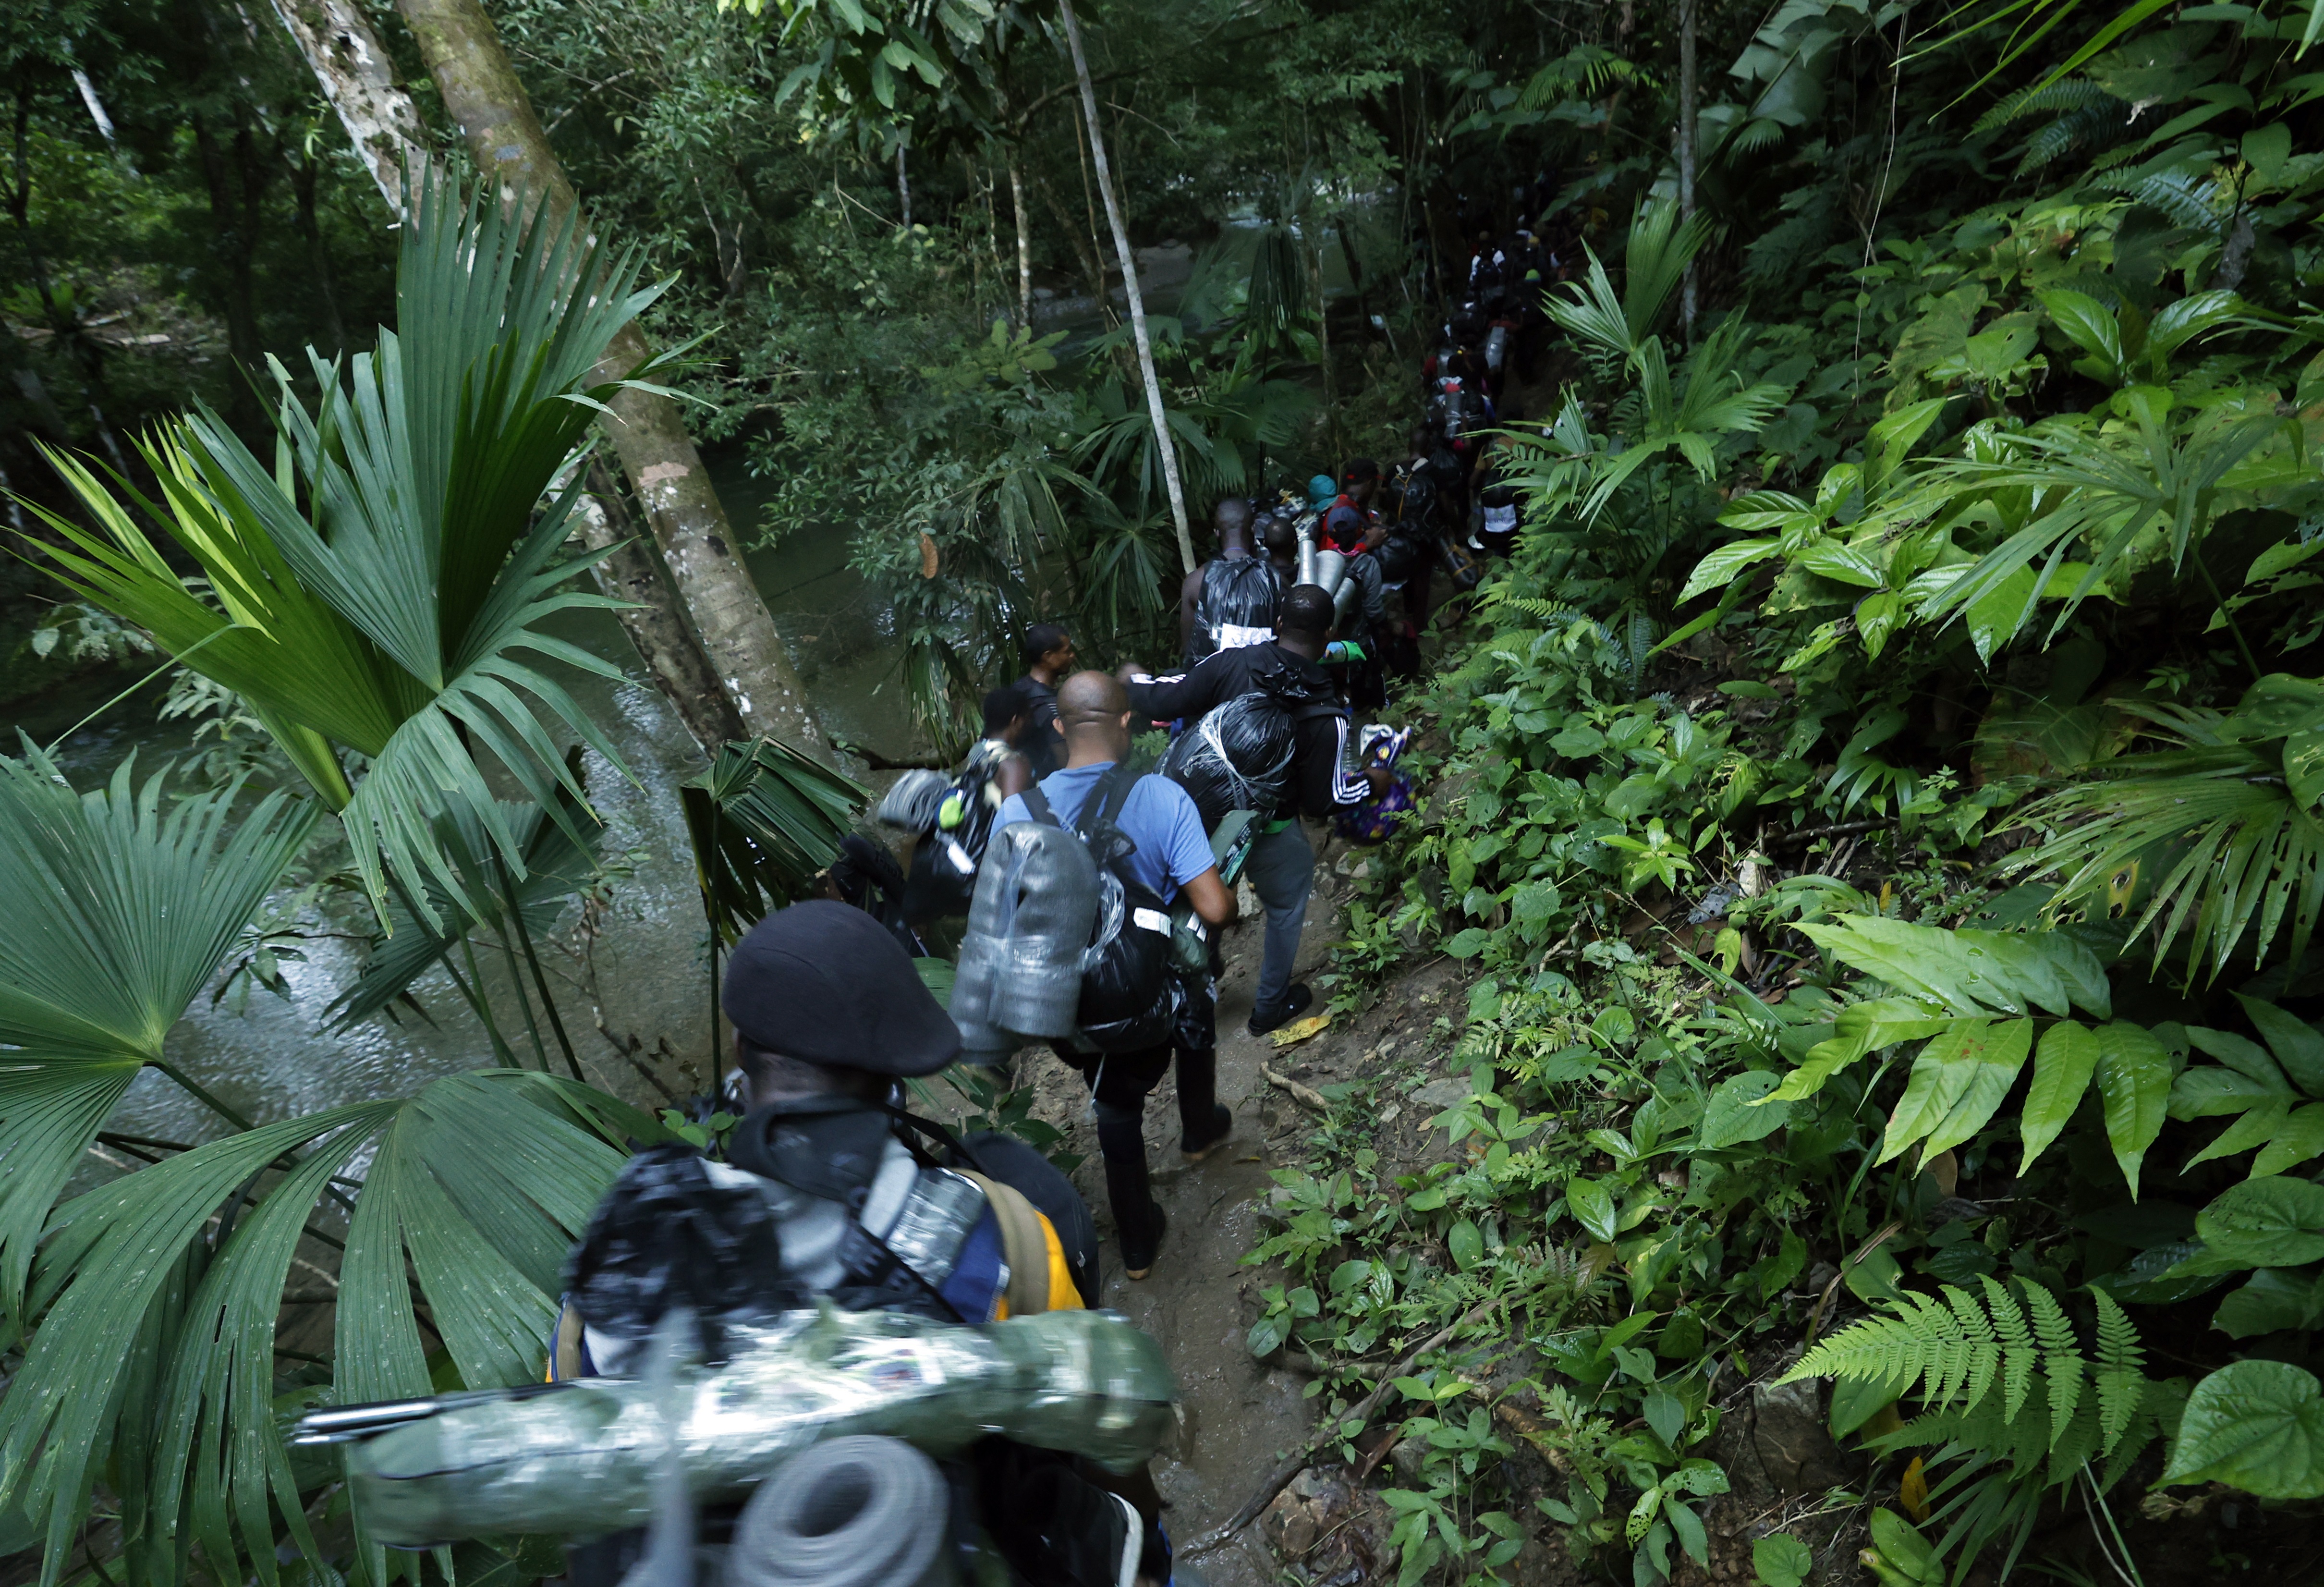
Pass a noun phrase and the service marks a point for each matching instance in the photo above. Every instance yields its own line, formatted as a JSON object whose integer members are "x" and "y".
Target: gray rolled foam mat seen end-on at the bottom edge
{"x": 847, "y": 1514}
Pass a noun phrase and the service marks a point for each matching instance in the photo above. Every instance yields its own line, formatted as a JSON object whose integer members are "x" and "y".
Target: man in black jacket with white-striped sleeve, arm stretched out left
{"x": 1282, "y": 863}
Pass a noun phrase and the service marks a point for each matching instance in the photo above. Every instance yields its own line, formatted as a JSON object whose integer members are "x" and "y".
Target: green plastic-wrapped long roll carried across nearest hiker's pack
{"x": 582, "y": 1458}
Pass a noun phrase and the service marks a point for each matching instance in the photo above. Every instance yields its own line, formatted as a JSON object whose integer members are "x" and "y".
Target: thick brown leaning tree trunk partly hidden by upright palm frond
{"x": 505, "y": 138}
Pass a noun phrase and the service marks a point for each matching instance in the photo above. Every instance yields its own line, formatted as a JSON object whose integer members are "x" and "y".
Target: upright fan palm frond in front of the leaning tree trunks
{"x": 380, "y": 584}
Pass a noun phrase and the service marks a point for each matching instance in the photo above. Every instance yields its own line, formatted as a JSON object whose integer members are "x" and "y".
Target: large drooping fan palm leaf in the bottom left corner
{"x": 478, "y": 1189}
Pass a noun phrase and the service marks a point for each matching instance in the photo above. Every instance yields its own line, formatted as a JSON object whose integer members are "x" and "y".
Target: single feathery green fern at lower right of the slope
{"x": 2009, "y": 1398}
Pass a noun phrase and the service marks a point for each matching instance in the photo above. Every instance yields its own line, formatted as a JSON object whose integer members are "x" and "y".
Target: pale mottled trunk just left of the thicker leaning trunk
{"x": 385, "y": 127}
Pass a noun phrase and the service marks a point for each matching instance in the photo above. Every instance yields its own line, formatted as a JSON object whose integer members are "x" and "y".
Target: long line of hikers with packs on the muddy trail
{"x": 1089, "y": 900}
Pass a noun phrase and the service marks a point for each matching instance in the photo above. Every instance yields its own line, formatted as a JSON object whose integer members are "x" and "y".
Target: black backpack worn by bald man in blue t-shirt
{"x": 1128, "y": 993}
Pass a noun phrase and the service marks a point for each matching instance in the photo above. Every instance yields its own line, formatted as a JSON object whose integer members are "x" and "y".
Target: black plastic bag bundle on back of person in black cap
{"x": 668, "y": 1235}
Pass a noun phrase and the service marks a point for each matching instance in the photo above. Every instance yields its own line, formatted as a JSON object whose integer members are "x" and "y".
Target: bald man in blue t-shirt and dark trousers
{"x": 1172, "y": 854}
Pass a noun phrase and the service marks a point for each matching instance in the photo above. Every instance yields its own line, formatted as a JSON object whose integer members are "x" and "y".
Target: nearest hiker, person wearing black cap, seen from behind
{"x": 833, "y": 1191}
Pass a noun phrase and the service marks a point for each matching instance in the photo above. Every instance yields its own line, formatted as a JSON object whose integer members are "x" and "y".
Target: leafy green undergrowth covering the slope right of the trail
{"x": 1884, "y": 877}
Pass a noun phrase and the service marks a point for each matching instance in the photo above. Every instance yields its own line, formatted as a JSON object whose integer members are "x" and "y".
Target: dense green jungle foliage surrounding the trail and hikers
{"x": 1879, "y": 810}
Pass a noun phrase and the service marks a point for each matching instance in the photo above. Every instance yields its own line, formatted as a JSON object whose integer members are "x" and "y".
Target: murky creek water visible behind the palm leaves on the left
{"x": 645, "y": 970}
